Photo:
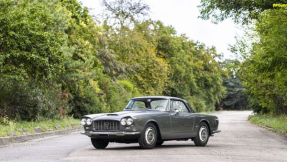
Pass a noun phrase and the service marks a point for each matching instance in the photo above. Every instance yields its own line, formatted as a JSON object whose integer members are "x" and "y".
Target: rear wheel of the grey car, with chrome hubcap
{"x": 202, "y": 136}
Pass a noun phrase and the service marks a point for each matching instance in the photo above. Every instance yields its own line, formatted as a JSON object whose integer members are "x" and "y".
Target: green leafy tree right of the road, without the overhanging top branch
{"x": 264, "y": 72}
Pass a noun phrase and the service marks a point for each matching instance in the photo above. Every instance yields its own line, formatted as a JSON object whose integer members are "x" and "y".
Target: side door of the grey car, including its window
{"x": 182, "y": 122}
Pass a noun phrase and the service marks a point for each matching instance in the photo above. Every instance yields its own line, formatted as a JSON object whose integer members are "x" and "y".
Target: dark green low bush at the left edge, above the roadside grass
{"x": 24, "y": 100}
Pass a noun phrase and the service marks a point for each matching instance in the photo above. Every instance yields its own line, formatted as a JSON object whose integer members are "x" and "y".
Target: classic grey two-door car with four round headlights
{"x": 150, "y": 121}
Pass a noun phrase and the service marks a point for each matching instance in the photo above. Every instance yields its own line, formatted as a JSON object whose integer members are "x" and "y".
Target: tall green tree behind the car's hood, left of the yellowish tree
{"x": 88, "y": 64}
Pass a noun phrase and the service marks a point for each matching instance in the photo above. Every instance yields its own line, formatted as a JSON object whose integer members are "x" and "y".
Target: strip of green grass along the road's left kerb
{"x": 44, "y": 124}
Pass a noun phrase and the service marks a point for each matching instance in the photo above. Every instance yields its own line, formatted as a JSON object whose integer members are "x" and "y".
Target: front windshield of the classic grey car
{"x": 154, "y": 104}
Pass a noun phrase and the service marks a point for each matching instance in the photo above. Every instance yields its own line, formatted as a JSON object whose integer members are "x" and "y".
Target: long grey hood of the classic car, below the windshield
{"x": 119, "y": 115}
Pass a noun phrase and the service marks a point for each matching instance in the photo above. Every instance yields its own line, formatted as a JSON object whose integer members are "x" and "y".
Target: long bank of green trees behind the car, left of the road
{"x": 56, "y": 60}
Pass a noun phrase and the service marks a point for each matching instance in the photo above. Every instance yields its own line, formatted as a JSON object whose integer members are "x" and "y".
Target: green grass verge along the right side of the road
{"x": 277, "y": 124}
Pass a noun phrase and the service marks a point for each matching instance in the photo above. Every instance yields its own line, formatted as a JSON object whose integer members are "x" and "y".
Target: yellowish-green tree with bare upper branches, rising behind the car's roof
{"x": 132, "y": 48}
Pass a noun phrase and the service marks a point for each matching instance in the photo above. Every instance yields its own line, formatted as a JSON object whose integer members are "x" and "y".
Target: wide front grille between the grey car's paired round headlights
{"x": 106, "y": 125}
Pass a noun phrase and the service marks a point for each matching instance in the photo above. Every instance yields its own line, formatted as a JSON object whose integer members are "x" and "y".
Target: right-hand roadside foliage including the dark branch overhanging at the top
{"x": 264, "y": 66}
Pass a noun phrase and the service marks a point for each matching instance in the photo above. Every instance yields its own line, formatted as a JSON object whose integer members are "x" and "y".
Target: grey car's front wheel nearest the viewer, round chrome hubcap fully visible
{"x": 148, "y": 138}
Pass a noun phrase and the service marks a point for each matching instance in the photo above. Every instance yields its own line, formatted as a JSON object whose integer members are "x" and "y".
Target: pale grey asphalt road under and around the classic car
{"x": 238, "y": 141}
